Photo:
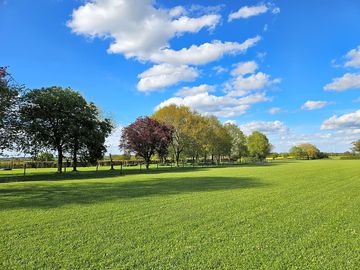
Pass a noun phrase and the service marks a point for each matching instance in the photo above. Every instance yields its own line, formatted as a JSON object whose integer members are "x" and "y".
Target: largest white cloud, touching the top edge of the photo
{"x": 136, "y": 28}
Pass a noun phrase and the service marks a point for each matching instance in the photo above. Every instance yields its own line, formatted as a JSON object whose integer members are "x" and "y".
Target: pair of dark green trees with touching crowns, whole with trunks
{"x": 61, "y": 120}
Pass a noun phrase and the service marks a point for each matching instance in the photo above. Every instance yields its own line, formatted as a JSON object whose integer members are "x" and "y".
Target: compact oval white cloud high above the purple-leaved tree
{"x": 164, "y": 75}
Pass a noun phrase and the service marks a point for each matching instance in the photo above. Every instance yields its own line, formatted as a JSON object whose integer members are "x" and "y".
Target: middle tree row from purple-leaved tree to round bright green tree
{"x": 179, "y": 133}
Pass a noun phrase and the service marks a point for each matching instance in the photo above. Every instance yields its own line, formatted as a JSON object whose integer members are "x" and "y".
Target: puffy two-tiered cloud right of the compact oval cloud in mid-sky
{"x": 246, "y": 79}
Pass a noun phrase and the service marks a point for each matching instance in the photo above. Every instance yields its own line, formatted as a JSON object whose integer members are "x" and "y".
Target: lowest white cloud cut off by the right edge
{"x": 345, "y": 123}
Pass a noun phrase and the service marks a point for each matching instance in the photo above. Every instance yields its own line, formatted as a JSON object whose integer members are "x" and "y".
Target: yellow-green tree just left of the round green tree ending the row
{"x": 238, "y": 144}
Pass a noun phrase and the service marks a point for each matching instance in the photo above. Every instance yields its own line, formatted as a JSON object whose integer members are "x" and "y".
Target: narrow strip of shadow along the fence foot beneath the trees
{"x": 81, "y": 175}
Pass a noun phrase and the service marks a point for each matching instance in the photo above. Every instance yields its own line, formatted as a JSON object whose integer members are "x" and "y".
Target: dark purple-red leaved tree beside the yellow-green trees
{"x": 145, "y": 137}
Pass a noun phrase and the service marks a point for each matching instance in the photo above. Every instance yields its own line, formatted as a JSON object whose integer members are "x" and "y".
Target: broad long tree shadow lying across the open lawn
{"x": 55, "y": 195}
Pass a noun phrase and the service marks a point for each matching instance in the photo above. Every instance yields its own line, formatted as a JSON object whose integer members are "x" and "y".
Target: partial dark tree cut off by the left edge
{"x": 9, "y": 104}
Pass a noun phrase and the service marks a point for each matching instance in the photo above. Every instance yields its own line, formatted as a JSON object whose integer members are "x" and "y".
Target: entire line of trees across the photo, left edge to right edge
{"x": 60, "y": 120}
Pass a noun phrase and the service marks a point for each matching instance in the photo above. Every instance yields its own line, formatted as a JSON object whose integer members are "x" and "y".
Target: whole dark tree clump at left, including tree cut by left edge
{"x": 50, "y": 119}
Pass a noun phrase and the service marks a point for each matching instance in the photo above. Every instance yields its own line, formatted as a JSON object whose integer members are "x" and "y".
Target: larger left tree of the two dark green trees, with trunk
{"x": 47, "y": 116}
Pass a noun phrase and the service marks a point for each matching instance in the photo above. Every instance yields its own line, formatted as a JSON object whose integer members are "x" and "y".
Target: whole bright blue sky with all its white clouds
{"x": 290, "y": 69}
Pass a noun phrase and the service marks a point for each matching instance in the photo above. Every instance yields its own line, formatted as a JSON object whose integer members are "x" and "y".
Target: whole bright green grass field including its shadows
{"x": 285, "y": 215}
